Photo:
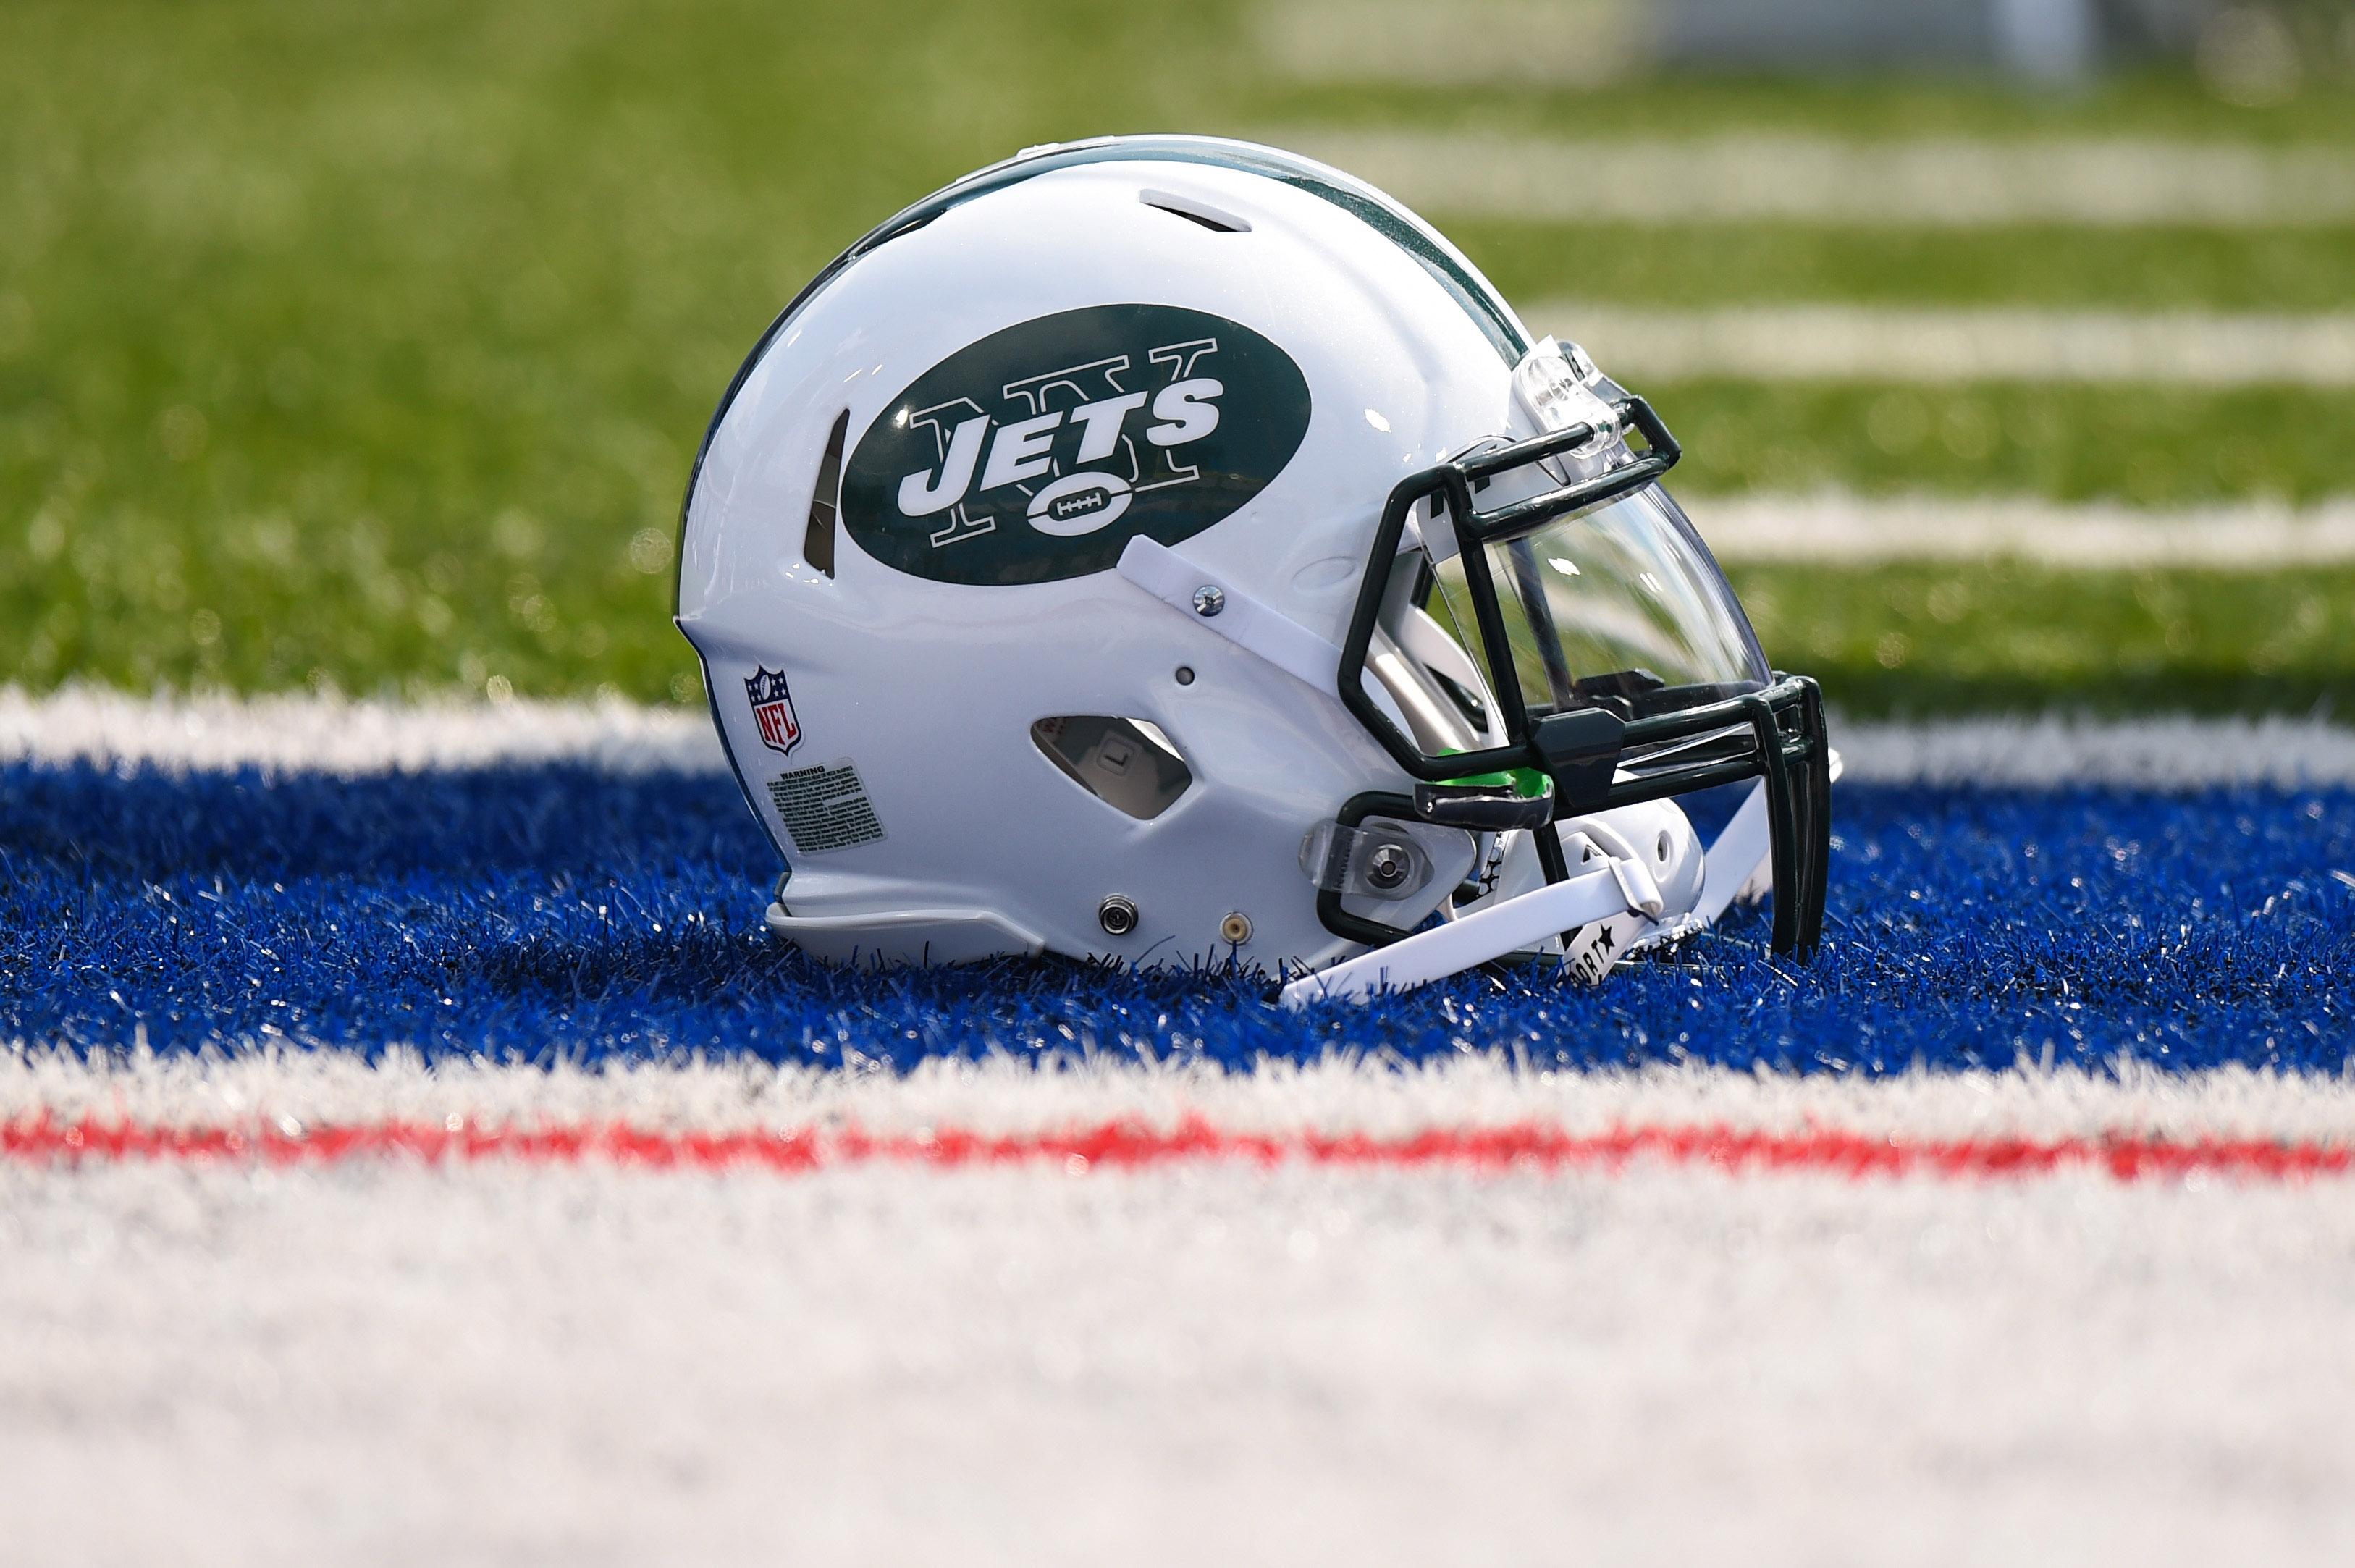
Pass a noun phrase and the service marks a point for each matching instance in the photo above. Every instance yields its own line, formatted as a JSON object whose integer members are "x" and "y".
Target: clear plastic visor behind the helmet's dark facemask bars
{"x": 1619, "y": 606}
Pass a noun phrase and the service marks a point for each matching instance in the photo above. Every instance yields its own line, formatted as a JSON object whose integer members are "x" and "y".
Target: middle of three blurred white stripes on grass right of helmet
{"x": 1956, "y": 345}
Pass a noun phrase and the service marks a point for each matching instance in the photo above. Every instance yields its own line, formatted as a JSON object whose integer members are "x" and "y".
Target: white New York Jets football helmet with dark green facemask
{"x": 1172, "y": 550}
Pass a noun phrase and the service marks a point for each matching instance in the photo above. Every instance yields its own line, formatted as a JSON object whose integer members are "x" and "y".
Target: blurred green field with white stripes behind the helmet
{"x": 366, "y": 347}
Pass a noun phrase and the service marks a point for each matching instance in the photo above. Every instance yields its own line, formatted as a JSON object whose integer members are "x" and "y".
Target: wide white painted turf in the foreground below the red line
{"x": 394, "y": 1364}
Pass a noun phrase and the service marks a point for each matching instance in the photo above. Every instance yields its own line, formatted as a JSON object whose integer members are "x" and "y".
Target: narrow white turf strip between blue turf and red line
{"x": 1011, "y": 1098}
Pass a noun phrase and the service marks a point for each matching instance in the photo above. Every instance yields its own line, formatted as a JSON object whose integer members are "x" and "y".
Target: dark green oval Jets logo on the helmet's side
{"x": 1042, "y": 451}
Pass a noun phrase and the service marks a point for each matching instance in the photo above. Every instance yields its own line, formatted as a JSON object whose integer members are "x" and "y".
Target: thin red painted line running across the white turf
{"x": 1129, "y": 1145}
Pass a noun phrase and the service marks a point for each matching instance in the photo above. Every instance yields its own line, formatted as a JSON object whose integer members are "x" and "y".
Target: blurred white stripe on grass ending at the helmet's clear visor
{"x": 1850, "y": 531}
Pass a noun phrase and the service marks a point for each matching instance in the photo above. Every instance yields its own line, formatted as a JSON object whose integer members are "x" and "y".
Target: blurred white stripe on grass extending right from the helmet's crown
{"x": 1819, "y": 180}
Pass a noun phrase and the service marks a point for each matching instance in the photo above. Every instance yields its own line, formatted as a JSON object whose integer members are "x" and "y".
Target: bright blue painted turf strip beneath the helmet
{"x": 564, "y": 912}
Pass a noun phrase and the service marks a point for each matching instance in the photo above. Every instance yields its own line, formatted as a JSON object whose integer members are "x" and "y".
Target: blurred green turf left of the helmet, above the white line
{"x": 373, "y": 343}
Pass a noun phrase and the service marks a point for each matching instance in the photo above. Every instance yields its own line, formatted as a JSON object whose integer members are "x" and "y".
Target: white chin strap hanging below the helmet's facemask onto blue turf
{"x": 1619, "y": 891}
